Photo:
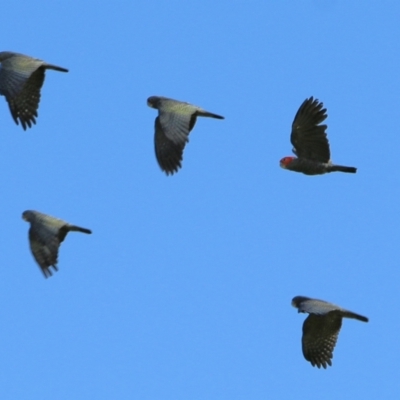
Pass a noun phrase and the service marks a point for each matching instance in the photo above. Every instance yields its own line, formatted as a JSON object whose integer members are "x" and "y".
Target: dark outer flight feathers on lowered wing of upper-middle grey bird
{"x": 168, "y": 152}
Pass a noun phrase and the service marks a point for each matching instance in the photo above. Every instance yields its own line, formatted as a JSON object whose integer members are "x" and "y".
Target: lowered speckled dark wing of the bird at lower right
{"x": 320, "y": 333}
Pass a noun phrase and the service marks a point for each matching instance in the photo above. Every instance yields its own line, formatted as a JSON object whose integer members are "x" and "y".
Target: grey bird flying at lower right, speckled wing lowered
{"x": 321, "y": 328}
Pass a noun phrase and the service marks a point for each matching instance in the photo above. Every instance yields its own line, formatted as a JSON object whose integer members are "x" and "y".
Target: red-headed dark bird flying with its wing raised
{"x": 310, "y": 143}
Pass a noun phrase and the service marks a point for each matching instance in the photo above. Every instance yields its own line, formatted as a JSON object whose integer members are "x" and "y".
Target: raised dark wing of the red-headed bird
{"x": 308, "y": 137}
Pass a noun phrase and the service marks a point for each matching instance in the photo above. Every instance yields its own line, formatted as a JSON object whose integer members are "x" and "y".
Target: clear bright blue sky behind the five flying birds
{"x": 184, "y": 289}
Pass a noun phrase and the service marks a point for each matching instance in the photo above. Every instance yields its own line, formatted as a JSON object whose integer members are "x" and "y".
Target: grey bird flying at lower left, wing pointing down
{"x": 45, "y": 236}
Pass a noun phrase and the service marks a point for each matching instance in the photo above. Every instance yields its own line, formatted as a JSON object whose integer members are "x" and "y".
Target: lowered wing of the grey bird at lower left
{"x": 44, "y": 245}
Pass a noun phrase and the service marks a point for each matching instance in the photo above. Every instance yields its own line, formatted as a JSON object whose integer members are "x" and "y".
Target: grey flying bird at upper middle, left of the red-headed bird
{"x": 172, "y": 127}
